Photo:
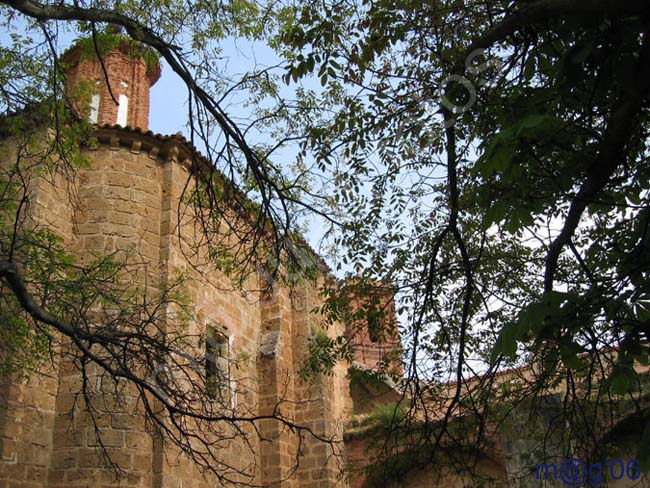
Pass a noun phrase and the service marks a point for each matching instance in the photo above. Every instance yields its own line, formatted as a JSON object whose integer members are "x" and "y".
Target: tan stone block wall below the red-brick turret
{"x": 128, "y": 202}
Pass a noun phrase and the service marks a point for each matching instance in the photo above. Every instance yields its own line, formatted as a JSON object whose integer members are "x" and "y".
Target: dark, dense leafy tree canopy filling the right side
{"x": 490, "y": 158}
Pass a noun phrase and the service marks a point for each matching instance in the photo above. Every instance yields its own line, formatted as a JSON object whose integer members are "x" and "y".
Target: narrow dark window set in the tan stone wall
{"x": 217, "y": 363}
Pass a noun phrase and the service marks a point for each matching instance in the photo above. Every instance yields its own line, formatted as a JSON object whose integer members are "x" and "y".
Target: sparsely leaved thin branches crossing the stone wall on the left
{"x": 105, "y": 314}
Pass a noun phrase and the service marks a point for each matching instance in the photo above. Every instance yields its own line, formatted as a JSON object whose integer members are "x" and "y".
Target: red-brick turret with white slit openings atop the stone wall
{"x": 113, "y": 88}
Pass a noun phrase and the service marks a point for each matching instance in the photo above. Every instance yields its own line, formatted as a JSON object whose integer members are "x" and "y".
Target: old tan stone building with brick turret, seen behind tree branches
{"x": 128, "y": 198}
